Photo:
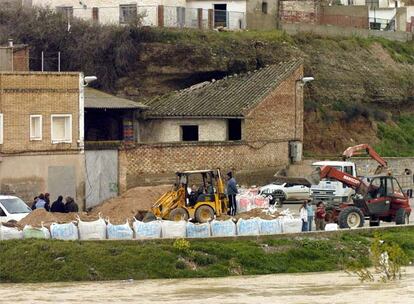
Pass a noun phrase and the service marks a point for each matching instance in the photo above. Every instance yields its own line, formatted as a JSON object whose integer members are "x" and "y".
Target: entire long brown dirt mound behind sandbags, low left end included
{"x": 117, "y": 210}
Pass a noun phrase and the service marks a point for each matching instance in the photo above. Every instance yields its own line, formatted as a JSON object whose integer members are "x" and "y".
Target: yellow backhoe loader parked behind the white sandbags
{"x": 197, "y": 195}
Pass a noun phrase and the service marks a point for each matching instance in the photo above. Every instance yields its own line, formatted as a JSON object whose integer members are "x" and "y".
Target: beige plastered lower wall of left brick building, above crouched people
{"x": 28, "y": 175}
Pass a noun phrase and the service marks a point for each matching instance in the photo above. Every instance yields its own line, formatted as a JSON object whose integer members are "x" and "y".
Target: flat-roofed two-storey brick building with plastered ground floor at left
{"x": 41, "y": 134}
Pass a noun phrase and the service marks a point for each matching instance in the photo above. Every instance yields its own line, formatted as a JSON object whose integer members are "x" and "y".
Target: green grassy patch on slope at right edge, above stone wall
{"x": 396, "y": 139}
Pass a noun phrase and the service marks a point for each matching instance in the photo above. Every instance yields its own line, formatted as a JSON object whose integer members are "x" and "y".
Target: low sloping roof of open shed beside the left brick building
{"x": 96, "y": 99}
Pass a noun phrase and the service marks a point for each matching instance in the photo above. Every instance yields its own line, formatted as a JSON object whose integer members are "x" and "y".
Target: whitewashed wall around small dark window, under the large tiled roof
{"x": 169, "y": 130}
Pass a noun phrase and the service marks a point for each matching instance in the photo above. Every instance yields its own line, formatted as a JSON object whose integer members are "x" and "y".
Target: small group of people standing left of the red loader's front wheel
{"x": 307, "y": 215}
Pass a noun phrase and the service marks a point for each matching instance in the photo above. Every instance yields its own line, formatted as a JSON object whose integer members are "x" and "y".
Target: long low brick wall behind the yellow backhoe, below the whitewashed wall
{"x": 147, "y": 164}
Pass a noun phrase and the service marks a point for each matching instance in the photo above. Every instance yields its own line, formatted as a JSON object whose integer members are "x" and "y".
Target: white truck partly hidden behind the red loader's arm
{"x": 332, "y": 191}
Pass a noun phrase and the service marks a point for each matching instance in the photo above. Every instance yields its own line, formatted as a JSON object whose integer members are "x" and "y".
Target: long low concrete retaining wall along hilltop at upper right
{"x": 335, "y": 31}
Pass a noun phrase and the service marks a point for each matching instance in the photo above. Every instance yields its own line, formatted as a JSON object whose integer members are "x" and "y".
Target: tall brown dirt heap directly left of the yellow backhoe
{"x": 126, "y": 206}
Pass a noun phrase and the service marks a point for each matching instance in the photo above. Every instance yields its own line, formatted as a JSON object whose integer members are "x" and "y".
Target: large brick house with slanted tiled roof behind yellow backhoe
{"x": 247, "y": 123}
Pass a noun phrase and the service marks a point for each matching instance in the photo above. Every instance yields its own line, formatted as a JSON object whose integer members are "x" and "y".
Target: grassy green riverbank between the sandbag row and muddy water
{"x": 23, "y": 261}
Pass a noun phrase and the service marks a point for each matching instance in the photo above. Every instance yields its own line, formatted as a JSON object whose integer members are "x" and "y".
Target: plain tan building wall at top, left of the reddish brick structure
{"x": 257, "y": 20}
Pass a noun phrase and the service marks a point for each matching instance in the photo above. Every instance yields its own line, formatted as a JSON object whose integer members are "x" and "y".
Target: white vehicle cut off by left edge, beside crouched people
{"x": 12, "y": 208}
